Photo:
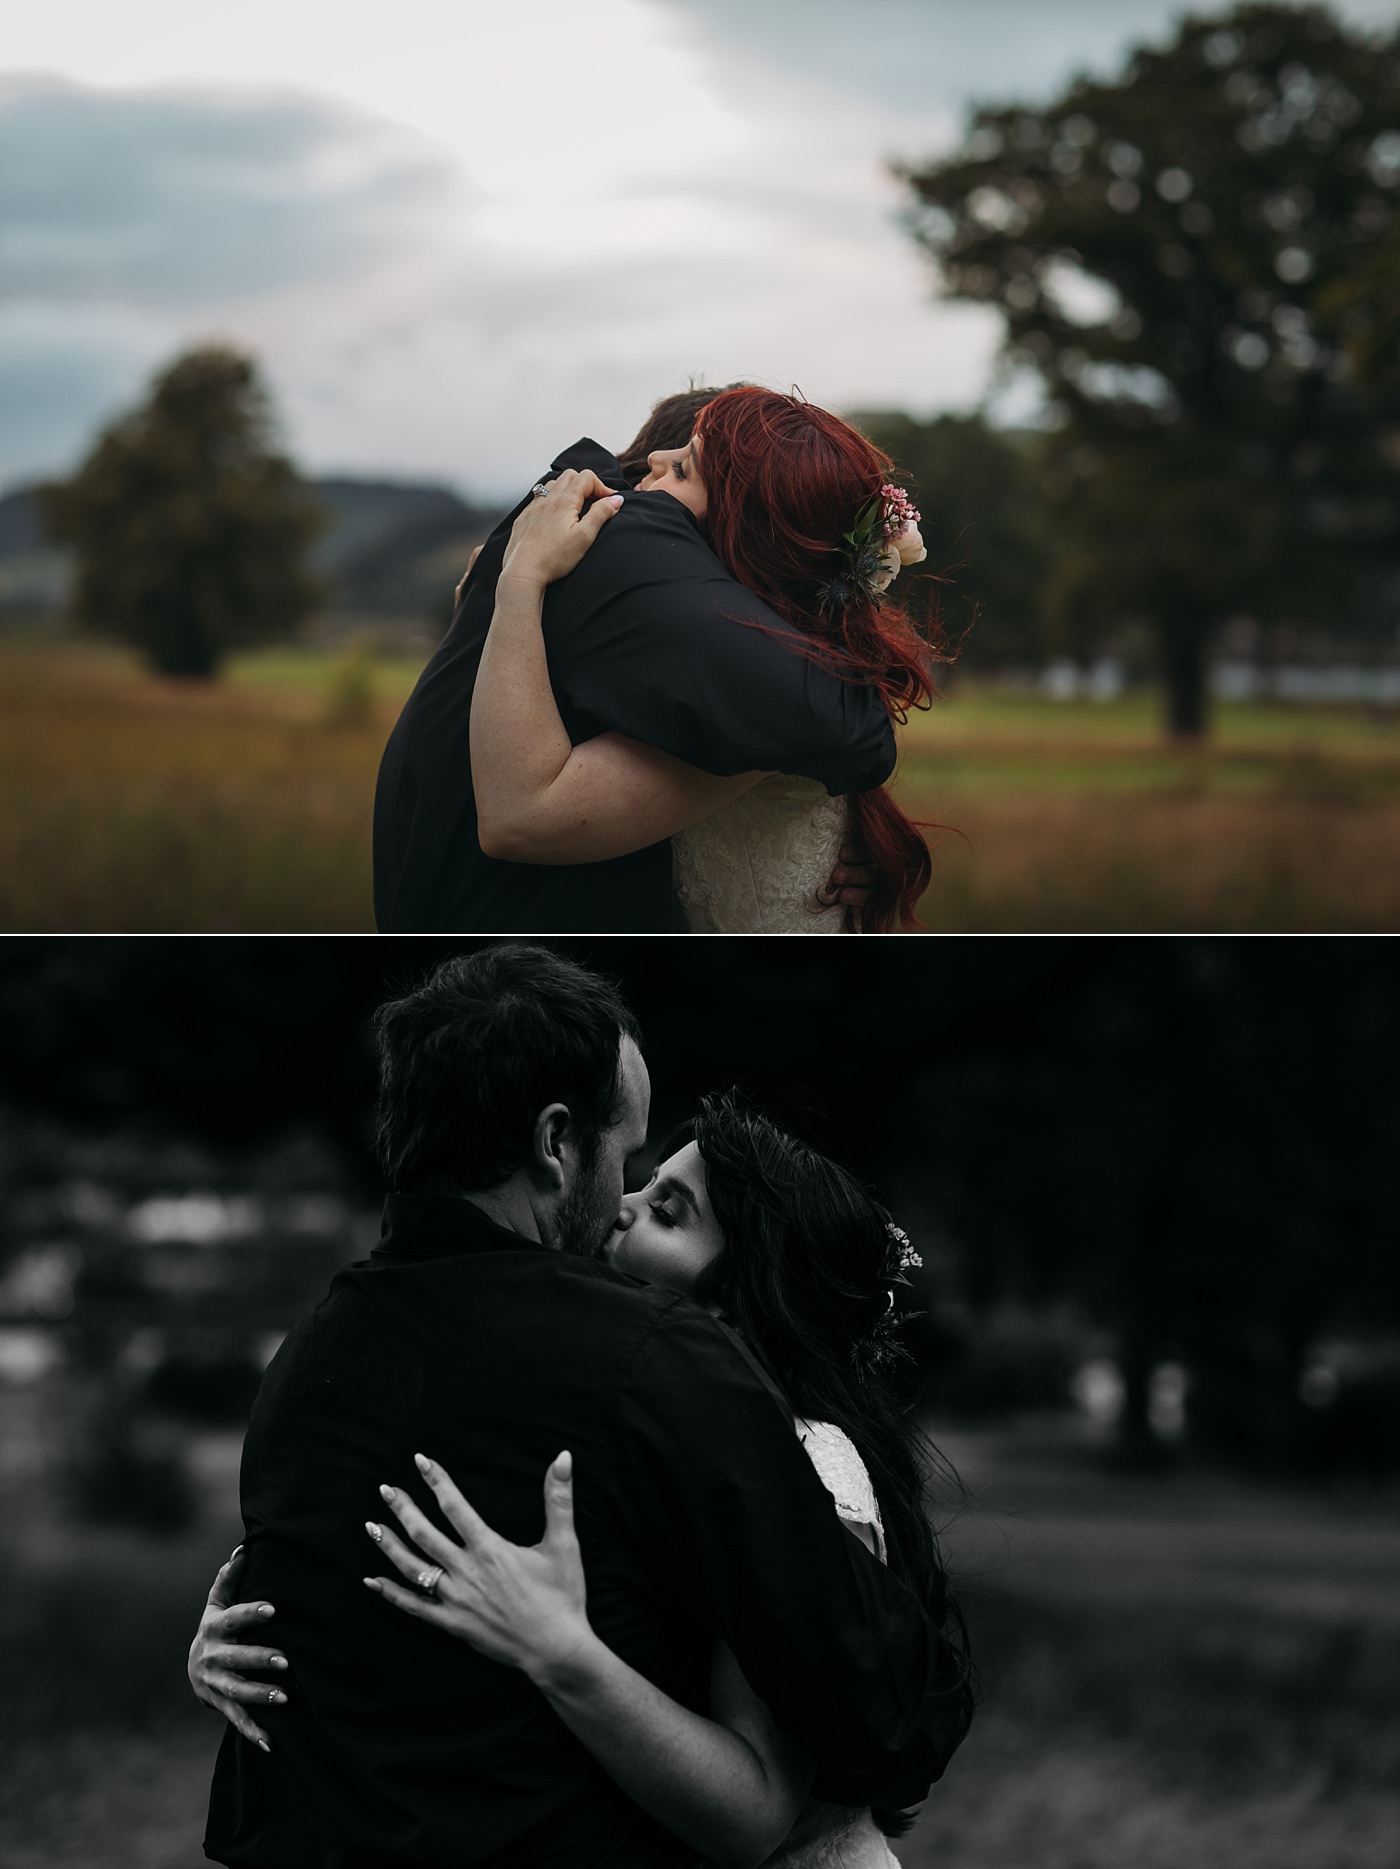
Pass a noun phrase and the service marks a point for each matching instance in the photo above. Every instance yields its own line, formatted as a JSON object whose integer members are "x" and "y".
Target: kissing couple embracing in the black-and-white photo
{"x": 588, "y": 1519}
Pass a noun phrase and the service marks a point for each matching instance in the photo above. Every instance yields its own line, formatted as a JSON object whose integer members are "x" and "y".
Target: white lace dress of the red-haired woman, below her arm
{"x": 754, "y": 866}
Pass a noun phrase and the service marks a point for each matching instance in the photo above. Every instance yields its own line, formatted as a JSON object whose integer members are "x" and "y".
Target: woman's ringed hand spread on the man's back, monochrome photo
{"x": 524, "y": 1606}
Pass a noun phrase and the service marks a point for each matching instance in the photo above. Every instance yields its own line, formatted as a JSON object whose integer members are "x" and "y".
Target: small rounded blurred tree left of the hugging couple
{"x": 192, "y": 530}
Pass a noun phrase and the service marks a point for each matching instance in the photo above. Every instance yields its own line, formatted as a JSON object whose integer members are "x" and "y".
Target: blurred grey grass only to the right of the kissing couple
{"x": 1182, "y": 1672}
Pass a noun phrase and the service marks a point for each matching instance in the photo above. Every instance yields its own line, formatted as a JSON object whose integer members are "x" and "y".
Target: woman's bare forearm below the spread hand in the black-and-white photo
{"x": 707, "y": 1784}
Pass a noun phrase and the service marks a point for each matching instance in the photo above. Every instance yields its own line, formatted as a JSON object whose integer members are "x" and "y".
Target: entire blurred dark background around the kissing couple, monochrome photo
{"x": 1156, "y": 1334}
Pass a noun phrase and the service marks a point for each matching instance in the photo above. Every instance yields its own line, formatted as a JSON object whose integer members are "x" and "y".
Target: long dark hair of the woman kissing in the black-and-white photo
{"x": 807, "y": 1279}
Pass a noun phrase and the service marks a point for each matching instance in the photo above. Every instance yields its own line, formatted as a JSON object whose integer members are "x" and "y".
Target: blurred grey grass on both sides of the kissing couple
{"x": 1179, "y": 1674}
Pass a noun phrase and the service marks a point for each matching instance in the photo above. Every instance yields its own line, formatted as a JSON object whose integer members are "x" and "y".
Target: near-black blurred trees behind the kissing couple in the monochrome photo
{"x": 1190, "y": 1145}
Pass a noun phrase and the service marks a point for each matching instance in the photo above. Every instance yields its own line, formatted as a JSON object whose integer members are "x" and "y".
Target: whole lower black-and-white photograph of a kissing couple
{"x": 700, "y": 1403}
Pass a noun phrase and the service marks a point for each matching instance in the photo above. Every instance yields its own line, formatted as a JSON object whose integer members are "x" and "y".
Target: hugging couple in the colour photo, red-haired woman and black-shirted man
{"x": 668, "y": 692}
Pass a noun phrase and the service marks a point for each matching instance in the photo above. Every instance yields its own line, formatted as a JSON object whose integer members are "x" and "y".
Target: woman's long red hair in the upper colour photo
{"x": 784, "y": 481}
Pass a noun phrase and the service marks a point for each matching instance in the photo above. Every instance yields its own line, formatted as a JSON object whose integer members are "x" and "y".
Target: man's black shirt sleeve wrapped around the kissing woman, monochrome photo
{"x": 739, "y": 1526}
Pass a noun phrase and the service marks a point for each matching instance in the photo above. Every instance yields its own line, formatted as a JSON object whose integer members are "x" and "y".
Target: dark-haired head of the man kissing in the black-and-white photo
{"x": 515, "y": 1076}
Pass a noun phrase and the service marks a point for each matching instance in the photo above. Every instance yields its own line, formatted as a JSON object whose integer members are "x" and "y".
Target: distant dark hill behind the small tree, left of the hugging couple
{"x": 393, "y": 549}
